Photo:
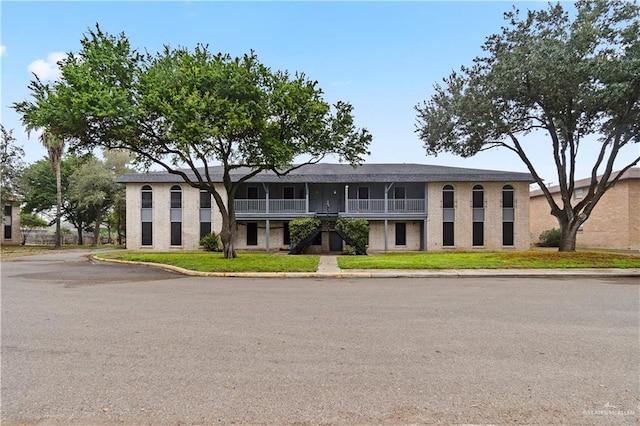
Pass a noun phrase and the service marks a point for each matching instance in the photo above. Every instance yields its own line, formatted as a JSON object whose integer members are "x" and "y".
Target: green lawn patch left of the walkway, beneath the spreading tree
{"x": 214, "y": 262}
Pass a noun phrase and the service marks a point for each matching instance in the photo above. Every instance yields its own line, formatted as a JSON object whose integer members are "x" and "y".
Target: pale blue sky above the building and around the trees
{"x": 383, "y": 57}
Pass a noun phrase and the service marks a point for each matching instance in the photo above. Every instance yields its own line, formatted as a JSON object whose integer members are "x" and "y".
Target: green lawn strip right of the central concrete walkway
{"x": 467, "y": 260}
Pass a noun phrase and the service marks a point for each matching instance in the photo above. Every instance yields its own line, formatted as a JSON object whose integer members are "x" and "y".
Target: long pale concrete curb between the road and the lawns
{"x": 400, "y": 273}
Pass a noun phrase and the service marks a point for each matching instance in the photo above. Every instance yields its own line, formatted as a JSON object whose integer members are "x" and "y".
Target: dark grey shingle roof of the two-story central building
{"x": 344, "y": 173}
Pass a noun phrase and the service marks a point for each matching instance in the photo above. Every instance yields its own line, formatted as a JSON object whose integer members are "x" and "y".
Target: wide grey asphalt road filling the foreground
{"x": 89, "y": 343}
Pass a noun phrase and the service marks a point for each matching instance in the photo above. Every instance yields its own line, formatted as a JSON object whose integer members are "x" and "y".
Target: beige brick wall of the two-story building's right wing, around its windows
{"x": 492, "y": 216}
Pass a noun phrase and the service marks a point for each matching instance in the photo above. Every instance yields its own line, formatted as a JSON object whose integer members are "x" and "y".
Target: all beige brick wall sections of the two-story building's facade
{"x": 463, "y": 221}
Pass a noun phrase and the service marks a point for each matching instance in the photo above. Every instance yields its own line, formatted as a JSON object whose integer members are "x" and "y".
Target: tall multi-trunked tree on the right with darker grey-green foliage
{"x": 573, "y": 80}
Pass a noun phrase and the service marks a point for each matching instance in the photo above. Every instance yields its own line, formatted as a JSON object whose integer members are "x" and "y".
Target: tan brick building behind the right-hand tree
{"x": 614, "y": 222}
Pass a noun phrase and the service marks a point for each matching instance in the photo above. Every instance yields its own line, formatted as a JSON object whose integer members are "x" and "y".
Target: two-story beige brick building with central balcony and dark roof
{"x": 409, "y": 207}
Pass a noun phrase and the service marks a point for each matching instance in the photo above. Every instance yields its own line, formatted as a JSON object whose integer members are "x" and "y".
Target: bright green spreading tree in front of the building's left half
{"x": 187, "y": 110}
